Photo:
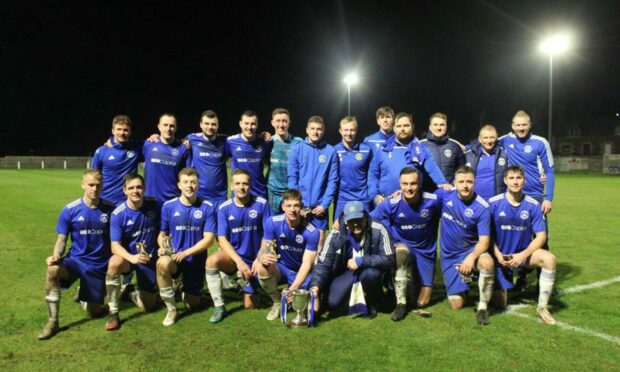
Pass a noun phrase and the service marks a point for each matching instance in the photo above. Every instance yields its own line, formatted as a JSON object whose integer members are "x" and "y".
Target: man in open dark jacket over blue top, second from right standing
{"x": 489, "y": 160}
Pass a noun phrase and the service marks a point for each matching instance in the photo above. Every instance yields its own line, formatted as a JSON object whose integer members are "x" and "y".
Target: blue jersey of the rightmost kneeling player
{"x": 514, "y": 226}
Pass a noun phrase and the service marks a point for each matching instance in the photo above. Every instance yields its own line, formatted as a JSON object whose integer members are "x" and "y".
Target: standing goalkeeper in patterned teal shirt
{"x": 282, "y": 143}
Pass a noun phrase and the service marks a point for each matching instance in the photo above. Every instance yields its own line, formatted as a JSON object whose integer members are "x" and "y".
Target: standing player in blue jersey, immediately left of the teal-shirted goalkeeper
{"x": 250, "y": 152}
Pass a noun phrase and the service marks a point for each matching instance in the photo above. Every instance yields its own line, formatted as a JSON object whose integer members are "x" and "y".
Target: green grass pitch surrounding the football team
{"x": 584, "y": 236}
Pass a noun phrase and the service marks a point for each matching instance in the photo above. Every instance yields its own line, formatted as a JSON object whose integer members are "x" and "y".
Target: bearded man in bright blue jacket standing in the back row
{"x": 399, "y": 151}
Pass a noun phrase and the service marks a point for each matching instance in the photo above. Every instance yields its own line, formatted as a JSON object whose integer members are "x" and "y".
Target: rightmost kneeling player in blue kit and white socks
{"x": 519, "y": 235}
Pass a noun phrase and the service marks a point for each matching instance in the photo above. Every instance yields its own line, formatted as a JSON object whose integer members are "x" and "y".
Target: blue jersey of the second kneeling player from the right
{"x": 462, "y": 223}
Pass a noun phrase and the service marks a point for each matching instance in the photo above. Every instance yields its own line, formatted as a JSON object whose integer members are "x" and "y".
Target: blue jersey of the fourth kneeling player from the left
{"x": 243, "y": 226}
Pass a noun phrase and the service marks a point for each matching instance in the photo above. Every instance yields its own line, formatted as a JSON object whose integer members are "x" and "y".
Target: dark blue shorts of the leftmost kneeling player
{"x": 92, "y": 279}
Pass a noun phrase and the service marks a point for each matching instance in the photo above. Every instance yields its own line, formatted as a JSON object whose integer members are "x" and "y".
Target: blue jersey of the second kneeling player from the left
{"x": 130, "y": 226}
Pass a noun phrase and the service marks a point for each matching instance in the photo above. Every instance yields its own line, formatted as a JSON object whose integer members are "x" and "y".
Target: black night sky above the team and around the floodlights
{"x": 67, "y": 69}
